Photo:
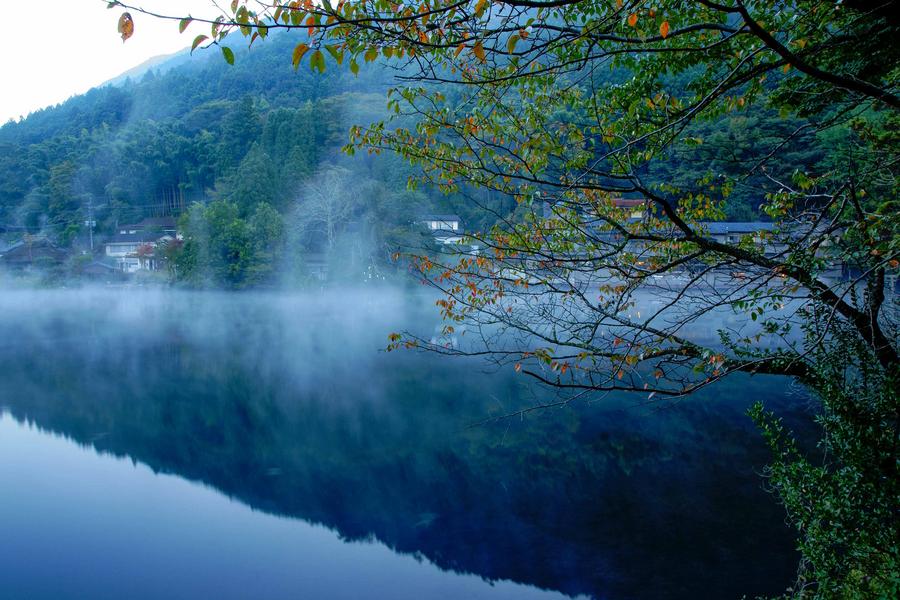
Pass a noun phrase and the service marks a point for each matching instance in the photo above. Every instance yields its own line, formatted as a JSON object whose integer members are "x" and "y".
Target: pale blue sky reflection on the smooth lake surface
{"x": 83, "y": 526}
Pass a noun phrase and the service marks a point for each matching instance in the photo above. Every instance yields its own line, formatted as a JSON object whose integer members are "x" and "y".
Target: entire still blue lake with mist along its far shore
{"x": 201, "y": 445}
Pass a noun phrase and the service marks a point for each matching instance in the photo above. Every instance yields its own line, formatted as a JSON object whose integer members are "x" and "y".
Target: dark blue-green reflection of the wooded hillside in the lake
{"x": 584, "y": 500}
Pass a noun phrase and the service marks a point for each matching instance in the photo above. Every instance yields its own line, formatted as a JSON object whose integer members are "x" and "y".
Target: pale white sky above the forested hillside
{"x": 54, "y": 49}
